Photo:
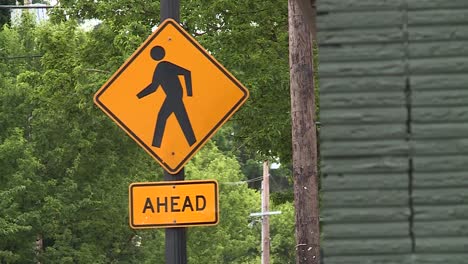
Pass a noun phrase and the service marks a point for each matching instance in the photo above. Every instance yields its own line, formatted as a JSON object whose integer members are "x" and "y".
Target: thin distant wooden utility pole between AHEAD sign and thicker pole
{"x": 265, "y": 217}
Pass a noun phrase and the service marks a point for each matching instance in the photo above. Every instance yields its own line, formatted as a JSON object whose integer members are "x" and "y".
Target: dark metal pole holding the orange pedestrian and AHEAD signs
{"x": 176, "y": 238}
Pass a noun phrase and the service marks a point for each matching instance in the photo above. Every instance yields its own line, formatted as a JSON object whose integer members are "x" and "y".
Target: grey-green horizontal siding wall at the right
{"x": 394, "y": 130}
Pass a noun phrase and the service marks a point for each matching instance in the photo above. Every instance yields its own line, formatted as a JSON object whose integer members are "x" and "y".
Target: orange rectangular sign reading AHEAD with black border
{"x": 173, "y": 204}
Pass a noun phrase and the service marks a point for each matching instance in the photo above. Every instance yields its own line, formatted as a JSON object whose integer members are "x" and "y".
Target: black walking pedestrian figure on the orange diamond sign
{"x": 166, "y": 75}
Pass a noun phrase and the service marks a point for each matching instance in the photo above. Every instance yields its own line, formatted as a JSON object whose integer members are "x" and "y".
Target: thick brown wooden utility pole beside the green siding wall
{"x": 301, "y": 20}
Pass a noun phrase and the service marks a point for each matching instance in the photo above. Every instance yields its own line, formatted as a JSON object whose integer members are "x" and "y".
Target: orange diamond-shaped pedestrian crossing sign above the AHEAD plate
{"x": 171, "y": 96}
